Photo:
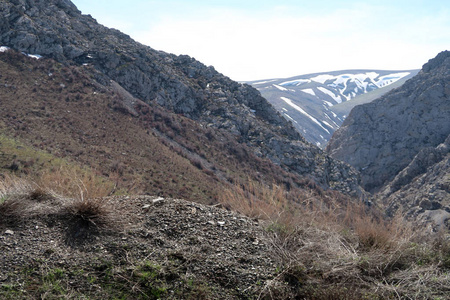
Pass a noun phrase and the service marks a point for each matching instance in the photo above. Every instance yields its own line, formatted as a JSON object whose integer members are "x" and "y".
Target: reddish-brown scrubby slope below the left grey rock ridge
{"x": 64, "y": 111}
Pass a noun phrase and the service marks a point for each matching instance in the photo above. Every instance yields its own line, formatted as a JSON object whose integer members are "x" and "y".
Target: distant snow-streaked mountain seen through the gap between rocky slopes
{"x": 318, "y": 103}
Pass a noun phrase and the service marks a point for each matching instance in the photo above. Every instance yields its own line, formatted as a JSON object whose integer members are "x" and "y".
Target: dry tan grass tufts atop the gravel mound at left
{"x": 80, "y": 196}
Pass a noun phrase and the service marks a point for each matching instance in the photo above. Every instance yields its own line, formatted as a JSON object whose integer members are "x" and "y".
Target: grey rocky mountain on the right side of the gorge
{"x": 399, "y": 143}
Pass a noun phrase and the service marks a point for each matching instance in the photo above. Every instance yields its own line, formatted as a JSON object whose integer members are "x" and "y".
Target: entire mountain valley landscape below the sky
{"x": 131, "y": 173}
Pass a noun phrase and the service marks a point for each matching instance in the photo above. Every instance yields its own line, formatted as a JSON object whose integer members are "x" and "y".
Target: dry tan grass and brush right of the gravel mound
{"x": 328, "y": 248}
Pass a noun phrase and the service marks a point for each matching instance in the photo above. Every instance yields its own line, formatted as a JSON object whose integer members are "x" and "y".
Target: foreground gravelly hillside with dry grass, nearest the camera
{"x": 143, "y": 247}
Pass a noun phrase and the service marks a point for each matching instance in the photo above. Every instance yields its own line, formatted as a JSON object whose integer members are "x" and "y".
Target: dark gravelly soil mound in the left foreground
{"x": 142, "y": 247}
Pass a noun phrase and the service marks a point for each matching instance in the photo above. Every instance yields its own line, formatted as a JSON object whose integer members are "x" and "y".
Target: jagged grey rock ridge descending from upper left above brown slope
{"x": 57, "y": 29}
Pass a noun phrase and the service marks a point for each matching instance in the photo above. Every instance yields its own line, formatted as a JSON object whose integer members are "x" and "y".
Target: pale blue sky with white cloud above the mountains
{"x": 260, "y": 39}
